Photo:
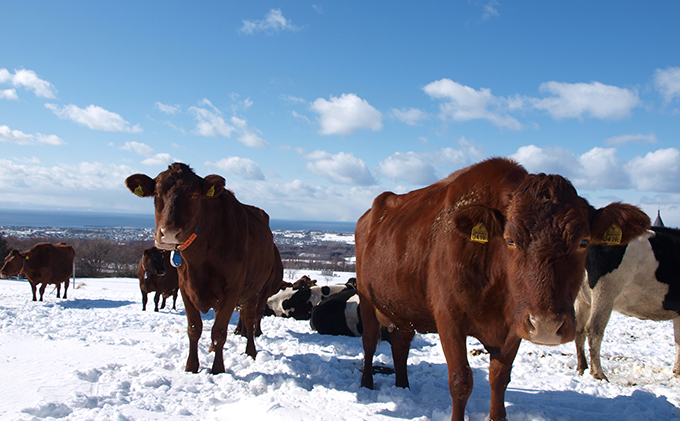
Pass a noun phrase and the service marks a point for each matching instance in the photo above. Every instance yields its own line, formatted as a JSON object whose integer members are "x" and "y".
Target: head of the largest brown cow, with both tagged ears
{"x": 545, "y": 231}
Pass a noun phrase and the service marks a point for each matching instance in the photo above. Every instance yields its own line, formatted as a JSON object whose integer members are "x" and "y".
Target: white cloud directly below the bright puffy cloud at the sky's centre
{"x": 341, "y": 168}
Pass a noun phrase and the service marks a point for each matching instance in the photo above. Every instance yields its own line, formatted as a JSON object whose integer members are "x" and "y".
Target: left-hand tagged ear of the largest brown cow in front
{"x": 478, "y": 223}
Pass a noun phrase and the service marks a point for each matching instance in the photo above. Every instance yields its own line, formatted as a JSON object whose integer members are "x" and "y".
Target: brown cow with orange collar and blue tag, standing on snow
{"x": 224, "y": 251}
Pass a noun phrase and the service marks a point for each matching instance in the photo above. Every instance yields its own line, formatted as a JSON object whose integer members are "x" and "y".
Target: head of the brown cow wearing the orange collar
{"x": 178, "y": 193}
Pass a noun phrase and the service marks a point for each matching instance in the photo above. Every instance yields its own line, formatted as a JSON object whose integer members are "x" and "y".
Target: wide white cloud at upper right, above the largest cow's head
{"x": 576, "y": 100}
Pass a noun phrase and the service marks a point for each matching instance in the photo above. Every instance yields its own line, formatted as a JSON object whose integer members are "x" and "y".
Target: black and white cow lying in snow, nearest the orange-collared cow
{"x": 298, "y": 303}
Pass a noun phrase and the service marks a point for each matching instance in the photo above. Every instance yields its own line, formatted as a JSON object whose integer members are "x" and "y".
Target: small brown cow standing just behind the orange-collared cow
{"x": 155, "y": 273}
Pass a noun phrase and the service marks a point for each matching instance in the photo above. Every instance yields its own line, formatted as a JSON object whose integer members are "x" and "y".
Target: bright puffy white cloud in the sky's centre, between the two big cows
{"x": 346, "y": 114}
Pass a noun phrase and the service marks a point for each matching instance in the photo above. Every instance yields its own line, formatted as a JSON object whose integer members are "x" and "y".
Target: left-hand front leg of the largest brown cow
{"x": 460, "y": 373}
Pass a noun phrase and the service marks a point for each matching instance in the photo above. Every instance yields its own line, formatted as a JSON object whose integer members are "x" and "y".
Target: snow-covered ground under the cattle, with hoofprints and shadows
{"x": 97, "y": 356}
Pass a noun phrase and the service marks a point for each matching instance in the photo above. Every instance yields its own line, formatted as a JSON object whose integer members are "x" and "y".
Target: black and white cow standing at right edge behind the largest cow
{"x": 641, "y": 280}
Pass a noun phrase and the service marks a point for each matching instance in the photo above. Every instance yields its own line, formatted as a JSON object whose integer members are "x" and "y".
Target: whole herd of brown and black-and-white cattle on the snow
{"x": 490, "y": 251}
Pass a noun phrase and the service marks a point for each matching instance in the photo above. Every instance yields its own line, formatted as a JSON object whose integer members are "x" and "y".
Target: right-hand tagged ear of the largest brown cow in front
{"x": 617, "y": 224}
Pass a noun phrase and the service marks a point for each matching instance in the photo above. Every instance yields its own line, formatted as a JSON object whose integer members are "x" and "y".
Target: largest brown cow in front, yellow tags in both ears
{"x": 491, "y": 252}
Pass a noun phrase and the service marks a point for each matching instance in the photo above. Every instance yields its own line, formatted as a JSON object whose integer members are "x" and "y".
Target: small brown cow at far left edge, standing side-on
{"x": 44, "y": 264}
